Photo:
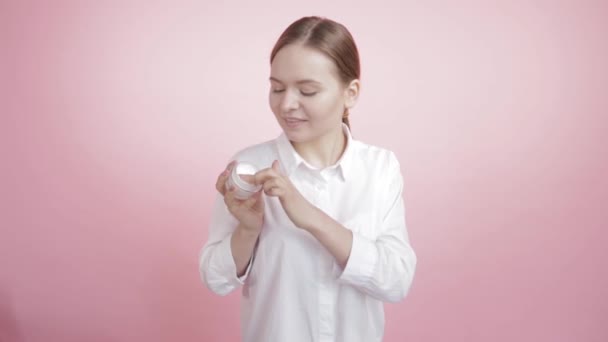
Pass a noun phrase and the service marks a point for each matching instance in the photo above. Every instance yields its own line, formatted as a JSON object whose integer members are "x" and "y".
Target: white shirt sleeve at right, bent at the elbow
{"x": 384, "y": 266}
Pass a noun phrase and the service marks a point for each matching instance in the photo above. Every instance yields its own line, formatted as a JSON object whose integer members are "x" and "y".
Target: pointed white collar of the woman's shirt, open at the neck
{"x": 291, "y": 160}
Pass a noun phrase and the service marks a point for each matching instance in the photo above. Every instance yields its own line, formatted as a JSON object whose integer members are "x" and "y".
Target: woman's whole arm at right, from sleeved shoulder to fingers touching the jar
{"x": 382, "y": 267}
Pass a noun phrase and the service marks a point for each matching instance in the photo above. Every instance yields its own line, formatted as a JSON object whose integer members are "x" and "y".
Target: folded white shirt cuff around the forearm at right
{"x": 361, "y": 263}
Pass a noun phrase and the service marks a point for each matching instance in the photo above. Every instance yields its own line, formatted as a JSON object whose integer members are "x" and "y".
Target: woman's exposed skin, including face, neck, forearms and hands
{"x": 308, "y": 100}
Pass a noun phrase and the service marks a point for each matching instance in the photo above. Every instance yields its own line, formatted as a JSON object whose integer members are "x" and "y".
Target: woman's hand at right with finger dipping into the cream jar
{"x": 276, "y": 184}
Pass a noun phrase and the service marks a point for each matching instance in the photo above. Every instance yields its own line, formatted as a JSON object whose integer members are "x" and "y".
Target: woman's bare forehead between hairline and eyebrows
{"x": 297, "y": 62}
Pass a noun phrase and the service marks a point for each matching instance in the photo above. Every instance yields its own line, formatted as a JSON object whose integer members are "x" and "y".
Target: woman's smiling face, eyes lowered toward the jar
{"x": 306, "y": 94}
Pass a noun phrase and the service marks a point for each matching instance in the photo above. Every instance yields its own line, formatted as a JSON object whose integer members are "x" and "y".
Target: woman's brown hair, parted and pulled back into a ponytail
{"x": 329, "y": 37}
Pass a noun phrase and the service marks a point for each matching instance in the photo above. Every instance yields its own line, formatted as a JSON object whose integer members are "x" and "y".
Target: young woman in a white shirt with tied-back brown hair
{"x": 324, "y": 243}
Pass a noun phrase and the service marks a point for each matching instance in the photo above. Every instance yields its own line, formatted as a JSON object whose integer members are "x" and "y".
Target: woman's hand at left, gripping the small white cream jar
{"x": 249, "y": 212}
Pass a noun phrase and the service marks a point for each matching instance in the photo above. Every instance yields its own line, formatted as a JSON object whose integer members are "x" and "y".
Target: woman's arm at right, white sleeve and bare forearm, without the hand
{"x": 383, "y": 267}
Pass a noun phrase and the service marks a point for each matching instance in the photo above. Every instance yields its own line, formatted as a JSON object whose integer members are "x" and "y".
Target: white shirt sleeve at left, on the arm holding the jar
{"x": 216, "y": 263}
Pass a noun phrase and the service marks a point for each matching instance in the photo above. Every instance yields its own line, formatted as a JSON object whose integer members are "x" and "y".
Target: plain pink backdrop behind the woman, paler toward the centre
{"x": 117, "y": 117}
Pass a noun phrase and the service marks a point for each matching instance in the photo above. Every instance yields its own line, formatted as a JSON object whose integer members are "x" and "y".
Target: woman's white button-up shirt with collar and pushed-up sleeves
{"x": 293, "y": 289}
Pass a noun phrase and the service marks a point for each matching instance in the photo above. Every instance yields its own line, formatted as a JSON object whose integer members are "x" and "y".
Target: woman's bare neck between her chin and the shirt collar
{"x": 324, "y": 151}
